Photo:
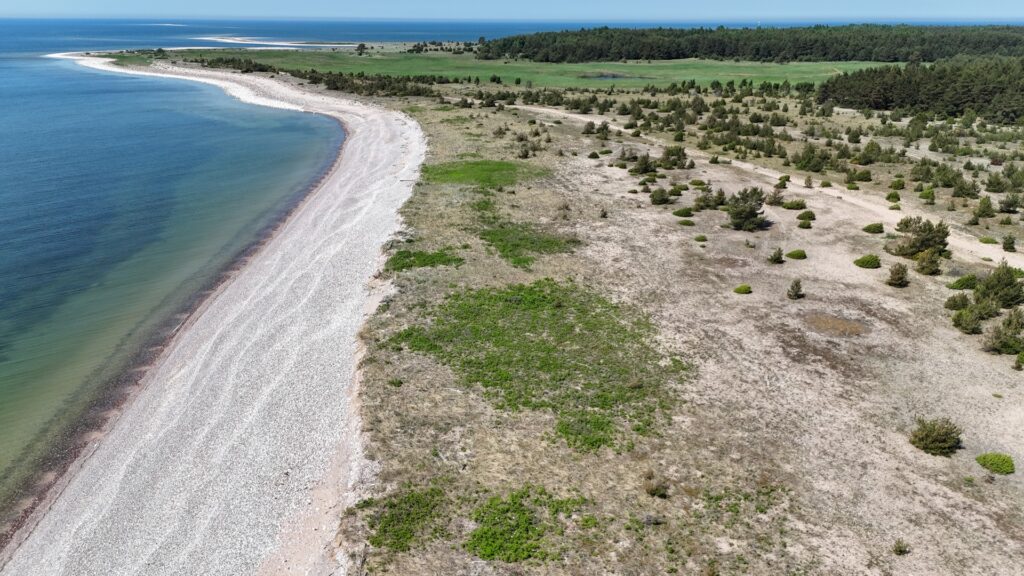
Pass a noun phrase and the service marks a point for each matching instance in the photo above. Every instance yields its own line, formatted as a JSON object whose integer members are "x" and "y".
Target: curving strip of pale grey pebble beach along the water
{"x": 242, "y": 446}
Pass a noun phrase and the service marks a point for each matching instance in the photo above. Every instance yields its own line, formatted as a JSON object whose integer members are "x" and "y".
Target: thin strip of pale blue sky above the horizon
{"x": 579, "y": 11}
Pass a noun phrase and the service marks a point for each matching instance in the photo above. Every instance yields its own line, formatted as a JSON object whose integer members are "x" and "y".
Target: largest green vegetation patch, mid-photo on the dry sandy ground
{"x": 557, "y": 347}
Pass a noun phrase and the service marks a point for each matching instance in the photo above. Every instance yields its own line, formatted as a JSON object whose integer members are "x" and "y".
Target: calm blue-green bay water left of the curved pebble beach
{"x": 120, "y": 198}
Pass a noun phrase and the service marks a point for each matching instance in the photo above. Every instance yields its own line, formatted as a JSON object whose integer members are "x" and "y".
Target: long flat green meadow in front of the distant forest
{"x": 589, "y": 75}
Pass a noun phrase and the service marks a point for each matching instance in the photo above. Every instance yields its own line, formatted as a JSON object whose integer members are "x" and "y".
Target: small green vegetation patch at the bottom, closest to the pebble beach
{"x": 406, "y": 519}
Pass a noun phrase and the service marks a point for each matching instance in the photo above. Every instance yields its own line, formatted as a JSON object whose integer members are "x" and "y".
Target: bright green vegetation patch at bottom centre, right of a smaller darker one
{"x": 516, "y": 528}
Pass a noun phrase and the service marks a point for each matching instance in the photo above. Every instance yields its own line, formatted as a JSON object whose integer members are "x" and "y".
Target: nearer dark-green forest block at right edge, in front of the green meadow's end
{"x": 993, "y": 88}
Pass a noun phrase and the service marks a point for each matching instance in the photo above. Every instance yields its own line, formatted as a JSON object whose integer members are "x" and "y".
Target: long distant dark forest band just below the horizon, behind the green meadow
{"x": 857, "y": 43}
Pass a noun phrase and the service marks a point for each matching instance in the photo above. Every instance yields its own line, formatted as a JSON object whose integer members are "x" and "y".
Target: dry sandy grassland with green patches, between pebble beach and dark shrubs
{"x": 742, "y": 434}
